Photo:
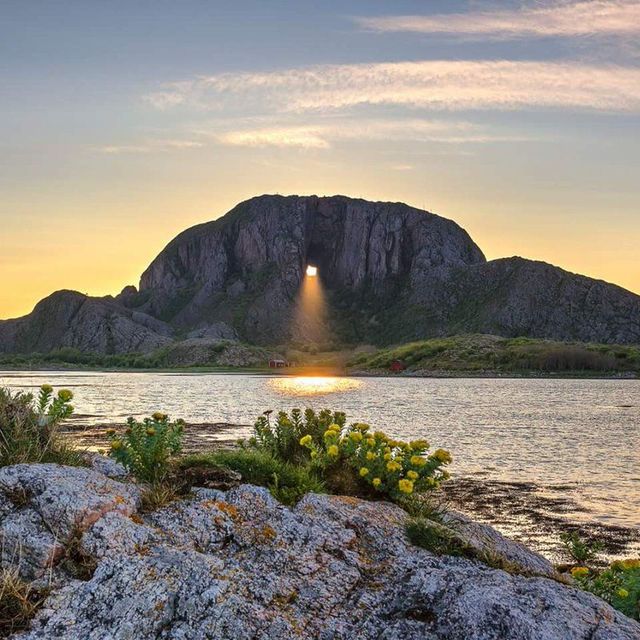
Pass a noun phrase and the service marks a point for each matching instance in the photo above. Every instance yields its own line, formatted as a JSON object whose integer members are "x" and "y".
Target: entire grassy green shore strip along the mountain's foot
{"x": 465, "y": 355}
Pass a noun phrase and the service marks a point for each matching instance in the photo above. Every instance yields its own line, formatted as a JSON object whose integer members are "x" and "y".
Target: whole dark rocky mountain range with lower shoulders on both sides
{"x": 389, "y": 273}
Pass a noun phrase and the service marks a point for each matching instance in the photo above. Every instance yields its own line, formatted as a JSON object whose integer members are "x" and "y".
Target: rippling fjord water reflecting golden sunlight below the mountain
{"x": 579, "y": 439}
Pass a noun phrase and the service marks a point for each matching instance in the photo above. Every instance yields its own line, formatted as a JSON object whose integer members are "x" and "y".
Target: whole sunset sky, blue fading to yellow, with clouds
{"x": 123, "y": 123}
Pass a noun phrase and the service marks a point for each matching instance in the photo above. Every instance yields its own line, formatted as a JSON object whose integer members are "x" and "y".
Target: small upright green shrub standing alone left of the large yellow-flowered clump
{"x": 146, "y": 447}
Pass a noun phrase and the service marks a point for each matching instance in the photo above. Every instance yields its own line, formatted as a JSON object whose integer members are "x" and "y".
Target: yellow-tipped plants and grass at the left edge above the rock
{"x": 29, "y": 428}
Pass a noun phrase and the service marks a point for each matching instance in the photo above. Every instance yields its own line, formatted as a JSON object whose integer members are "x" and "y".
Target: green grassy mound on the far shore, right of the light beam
{"x": 492, "y": 354}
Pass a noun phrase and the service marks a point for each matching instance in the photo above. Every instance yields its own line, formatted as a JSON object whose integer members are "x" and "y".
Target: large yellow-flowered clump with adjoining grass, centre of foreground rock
{"x": 300, "y": 452}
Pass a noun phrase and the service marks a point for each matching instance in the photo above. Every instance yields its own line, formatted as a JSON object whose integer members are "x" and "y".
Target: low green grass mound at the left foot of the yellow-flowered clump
{"x": 287, "y": 482}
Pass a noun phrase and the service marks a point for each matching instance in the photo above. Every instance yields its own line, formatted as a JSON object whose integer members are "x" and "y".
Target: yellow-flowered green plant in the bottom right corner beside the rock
{"x": 619, "y": 585}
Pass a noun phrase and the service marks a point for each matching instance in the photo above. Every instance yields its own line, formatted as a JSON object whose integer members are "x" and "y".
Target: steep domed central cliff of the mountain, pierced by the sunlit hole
{"x": 246, "y": 268}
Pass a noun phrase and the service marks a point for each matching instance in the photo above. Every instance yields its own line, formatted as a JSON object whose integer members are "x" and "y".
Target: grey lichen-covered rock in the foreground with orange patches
{"x": 239, "y": 565}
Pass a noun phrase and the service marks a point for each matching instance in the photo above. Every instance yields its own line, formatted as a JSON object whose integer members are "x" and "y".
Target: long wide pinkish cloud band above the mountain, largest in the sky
{"x": 434, "y": 84}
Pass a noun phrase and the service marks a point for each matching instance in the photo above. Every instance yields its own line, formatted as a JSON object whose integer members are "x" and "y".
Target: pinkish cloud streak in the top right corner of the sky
{"x": 586, "y": 18}
